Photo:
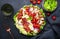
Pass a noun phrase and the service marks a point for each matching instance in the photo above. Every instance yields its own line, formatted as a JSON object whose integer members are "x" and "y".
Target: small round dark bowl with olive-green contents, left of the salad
{"x": 7, "y": 9}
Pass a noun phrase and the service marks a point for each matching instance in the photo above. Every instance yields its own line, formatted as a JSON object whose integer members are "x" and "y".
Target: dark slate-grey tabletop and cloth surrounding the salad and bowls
{"x": 51, "y": 29}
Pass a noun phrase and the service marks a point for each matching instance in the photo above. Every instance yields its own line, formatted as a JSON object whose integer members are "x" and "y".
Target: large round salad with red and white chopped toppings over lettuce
{"x": 29, "y": 20}
